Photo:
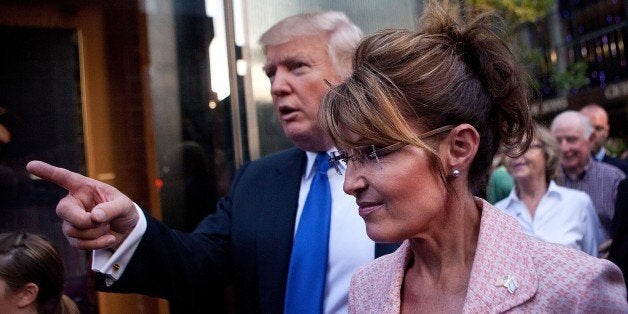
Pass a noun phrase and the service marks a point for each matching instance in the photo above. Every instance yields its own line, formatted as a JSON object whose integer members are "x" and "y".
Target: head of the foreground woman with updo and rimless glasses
{"x": 461, "y": 85}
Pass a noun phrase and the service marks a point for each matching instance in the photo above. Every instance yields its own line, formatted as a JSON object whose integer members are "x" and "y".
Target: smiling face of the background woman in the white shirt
{"x": 529, "y": 165}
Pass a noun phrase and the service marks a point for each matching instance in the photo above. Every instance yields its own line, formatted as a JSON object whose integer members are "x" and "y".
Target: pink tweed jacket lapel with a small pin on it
{"x": 502, "y": 260}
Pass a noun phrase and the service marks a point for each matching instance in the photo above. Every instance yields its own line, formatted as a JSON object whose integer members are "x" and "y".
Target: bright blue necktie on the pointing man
{"x": 308, "y": 262}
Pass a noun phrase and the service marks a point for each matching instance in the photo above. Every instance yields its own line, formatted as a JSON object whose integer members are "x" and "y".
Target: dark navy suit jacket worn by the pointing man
{"x": 246, "y": 243}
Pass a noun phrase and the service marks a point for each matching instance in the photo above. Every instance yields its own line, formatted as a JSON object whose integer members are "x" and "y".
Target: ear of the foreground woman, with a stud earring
{"x": 462, "y": 145}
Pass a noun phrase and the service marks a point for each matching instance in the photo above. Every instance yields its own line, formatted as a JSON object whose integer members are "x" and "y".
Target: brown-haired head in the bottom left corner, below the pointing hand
{"x": 31, "y": 276}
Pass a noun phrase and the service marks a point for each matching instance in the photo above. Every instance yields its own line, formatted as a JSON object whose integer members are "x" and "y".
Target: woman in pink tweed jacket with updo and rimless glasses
{"x": 417, "y": 125}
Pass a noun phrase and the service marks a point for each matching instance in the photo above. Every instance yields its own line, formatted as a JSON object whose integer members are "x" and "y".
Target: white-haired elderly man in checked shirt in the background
{"x": 573, "y": 131}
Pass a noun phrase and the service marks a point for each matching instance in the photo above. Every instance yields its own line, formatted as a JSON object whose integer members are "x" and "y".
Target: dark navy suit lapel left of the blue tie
{"x": 276, "y": 227}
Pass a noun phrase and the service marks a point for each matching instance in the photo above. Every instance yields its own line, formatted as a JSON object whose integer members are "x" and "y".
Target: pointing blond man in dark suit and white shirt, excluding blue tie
{"x": 248, "y": 241}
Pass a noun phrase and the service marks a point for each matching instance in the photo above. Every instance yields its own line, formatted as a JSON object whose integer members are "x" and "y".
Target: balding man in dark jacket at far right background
{"x": 599, "y": 120}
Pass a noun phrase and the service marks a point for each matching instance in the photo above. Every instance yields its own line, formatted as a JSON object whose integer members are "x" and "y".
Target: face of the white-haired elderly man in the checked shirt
{"x": 575, "y": 149}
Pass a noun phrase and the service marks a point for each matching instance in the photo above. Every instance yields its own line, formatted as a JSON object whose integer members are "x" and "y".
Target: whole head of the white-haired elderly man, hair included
{"x": 573, "y": 131}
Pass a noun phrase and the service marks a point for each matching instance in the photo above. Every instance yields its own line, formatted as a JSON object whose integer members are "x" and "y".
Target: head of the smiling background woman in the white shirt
{"x": 542, "y": 159}
